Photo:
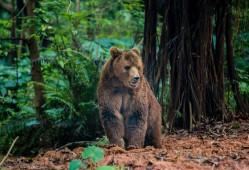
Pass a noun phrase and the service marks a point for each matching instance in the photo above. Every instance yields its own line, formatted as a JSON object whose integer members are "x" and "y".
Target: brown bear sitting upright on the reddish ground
{"x": 128, "y": 108}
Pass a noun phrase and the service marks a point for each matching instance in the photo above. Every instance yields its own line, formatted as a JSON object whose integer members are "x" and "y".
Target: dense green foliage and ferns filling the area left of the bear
{"x": 73, "y": 45}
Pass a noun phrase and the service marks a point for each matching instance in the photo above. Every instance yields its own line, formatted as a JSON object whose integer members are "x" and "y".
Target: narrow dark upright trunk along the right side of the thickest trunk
{"x": 216, "y": 87}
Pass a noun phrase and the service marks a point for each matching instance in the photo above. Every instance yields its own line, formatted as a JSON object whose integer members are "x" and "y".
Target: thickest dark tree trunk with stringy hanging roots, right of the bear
{"x": 197, "y": 84}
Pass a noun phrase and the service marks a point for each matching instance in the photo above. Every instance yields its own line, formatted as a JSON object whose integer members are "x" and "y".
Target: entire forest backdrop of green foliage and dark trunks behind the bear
{"x": 51, "y": 52}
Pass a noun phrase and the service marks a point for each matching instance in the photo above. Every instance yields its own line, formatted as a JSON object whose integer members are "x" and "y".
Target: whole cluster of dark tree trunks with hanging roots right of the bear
{"x": 196, "y": 51}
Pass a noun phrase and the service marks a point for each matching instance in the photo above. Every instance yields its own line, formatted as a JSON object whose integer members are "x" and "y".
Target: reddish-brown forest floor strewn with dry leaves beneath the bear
{"x": 223, "y": 146}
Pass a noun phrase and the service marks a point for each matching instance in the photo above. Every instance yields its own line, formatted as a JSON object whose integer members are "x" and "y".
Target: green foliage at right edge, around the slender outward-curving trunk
{"x": 241, "y": 57}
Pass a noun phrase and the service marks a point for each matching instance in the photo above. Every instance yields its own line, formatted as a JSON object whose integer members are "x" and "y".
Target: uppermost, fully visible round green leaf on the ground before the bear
{"x": 95, "y": 154}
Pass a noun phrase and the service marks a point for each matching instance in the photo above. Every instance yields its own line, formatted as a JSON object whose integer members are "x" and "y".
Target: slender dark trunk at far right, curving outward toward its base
{"x": 230, "y": 62}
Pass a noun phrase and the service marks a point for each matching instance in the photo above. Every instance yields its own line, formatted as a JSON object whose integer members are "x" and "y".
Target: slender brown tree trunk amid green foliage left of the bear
{"x": 36, "y": 73}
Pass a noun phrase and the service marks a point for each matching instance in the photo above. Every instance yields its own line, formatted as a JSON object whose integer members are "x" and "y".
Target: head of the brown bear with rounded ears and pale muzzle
{"x": 127, "y": 66}
